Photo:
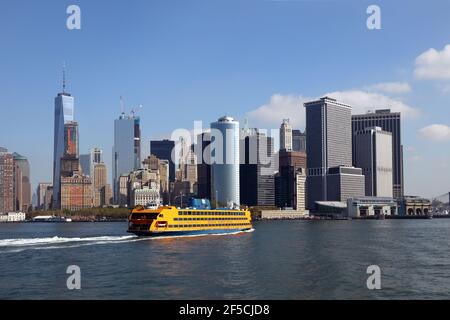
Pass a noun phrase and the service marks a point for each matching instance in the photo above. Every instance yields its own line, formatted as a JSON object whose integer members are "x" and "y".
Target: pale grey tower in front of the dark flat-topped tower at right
{"x": 373, "y": 153}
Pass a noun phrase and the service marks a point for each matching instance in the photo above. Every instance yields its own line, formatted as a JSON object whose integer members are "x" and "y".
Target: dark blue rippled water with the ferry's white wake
{"x": 278, "y": 260}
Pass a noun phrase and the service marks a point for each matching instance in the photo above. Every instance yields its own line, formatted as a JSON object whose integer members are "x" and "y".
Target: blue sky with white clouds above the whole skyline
{"x": 197, "y": 60}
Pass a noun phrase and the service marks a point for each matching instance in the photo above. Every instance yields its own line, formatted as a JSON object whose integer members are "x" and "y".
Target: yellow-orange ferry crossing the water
{"x": 170, "y": 220}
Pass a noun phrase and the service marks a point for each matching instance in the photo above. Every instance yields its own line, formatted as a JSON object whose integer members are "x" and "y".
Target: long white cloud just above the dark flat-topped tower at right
{"x": 363, "y": 101}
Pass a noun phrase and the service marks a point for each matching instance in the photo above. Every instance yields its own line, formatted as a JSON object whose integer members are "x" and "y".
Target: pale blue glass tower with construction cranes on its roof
{"x": 126, "y": 149}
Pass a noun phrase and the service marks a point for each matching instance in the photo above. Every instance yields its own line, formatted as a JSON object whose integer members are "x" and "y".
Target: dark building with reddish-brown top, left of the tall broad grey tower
{"x": 290, "y": 162}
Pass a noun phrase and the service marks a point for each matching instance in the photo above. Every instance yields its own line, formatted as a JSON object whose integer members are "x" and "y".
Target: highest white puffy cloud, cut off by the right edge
{"x": 433, "y": 64}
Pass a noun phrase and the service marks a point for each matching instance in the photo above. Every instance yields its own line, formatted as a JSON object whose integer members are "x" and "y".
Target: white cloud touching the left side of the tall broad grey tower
{"x": 278, "y": 108}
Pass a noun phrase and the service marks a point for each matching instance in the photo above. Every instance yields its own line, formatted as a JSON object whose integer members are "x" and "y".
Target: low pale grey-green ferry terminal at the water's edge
{"x": 371, "y": 207}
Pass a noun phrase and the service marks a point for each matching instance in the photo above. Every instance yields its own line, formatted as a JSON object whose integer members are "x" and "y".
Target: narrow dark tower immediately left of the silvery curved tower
{"x": 203, "y": 166}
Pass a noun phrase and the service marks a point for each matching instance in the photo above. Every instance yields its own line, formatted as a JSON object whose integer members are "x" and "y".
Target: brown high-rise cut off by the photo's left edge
{"x": 6, "y": 181}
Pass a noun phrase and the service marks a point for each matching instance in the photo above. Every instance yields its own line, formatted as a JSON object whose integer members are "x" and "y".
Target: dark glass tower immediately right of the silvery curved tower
{"x": 257, "y": 167}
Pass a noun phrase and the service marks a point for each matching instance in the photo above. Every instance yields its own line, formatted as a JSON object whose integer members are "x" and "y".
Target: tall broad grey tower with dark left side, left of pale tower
{"x": 329, "y": 145}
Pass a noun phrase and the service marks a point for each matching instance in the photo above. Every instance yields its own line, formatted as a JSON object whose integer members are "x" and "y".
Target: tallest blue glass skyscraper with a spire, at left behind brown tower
{"x": 64, "y": 113}
